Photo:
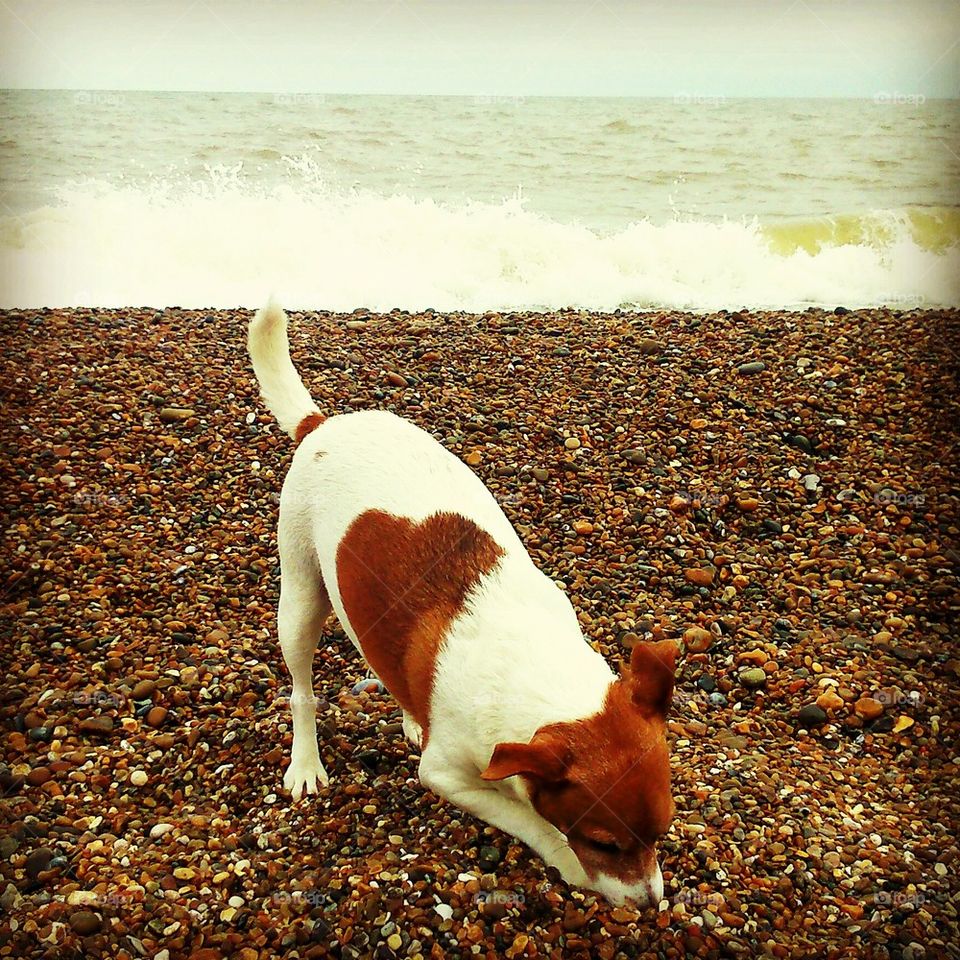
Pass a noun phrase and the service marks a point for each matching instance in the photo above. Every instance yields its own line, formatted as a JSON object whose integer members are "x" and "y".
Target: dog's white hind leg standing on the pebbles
{"x": 304, "y": 606}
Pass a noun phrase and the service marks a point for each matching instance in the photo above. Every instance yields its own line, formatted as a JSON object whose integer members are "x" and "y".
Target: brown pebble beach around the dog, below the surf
{"x": 774, "y": 490}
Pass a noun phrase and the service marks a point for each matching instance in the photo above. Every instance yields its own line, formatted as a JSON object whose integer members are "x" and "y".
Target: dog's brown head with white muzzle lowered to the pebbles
{"x": 604, "y": 781}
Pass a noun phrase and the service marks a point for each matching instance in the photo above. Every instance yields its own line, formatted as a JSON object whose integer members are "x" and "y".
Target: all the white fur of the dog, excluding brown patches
{"x": 514, "y": 660}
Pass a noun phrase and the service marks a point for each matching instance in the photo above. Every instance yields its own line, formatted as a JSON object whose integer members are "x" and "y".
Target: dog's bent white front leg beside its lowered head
{"x": 512, "y": 817}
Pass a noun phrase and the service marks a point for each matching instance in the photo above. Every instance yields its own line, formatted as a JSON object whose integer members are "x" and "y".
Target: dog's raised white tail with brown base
{"x": 280, "y": 384}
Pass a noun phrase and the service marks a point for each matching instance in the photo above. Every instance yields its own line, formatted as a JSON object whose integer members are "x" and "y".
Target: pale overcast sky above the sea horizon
{"x": 488, "y": 47}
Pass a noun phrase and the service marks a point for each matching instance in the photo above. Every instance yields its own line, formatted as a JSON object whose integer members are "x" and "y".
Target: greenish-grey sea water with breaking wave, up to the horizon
{"x": 476, "y": 203}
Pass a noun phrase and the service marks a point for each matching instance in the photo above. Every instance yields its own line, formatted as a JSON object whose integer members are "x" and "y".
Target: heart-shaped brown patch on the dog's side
{"x": 402, "y": 584}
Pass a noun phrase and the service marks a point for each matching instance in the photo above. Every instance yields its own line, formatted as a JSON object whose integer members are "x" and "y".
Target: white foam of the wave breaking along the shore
{"x": 218, "y": 244}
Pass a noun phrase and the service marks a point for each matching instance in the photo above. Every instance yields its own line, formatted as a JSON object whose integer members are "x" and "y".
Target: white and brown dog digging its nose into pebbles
{"x": 519, "y": 720}
